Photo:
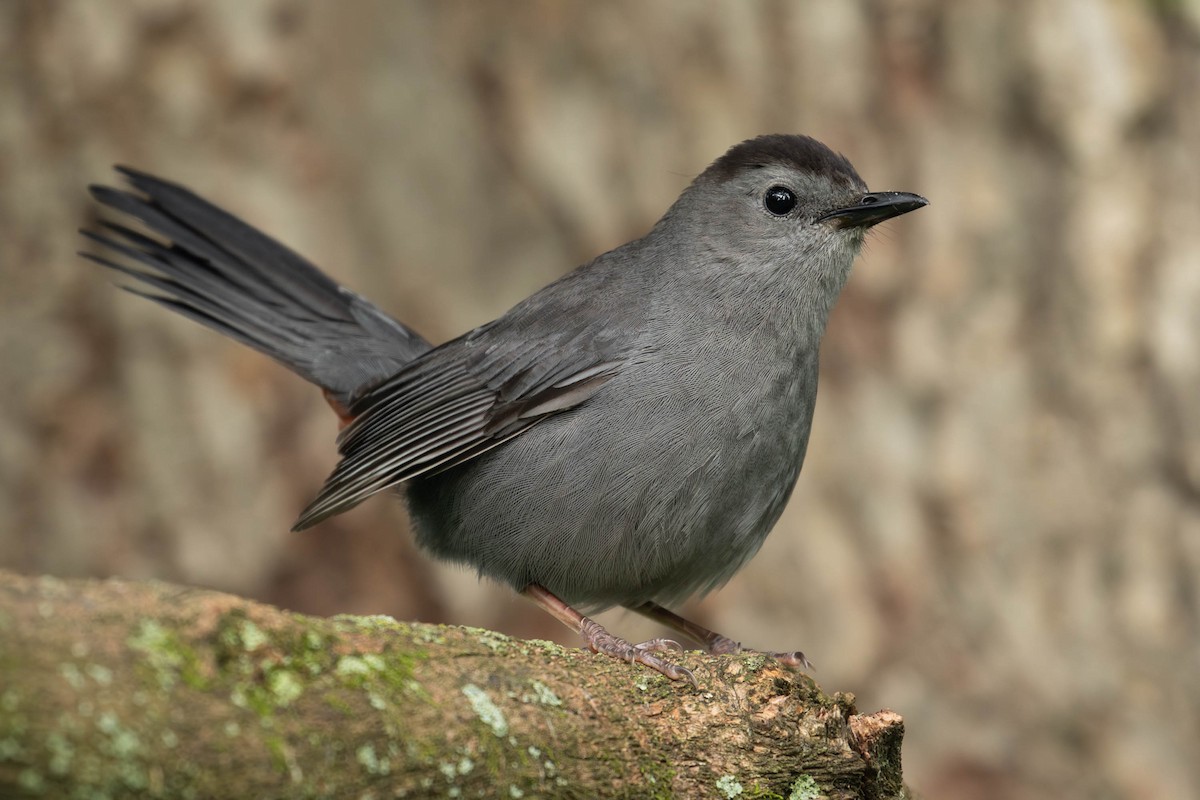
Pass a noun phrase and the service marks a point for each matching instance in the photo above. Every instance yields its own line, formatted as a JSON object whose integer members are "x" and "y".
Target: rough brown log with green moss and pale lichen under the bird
{"x": 142, "y": 689}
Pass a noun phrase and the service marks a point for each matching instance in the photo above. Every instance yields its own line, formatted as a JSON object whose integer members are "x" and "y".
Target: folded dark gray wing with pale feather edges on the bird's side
{"x": 457, "y": 402}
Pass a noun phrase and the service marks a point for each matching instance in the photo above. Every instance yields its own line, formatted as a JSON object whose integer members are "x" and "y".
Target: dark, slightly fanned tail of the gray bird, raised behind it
{"x": 226, "y": 275}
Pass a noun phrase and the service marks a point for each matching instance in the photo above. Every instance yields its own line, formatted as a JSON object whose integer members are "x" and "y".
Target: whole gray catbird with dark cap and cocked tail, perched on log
{"x": 626, "y": 437}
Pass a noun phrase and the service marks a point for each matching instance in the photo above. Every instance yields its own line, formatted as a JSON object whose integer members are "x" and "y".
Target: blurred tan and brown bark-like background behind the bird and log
{"x": 998, "y": 530}
